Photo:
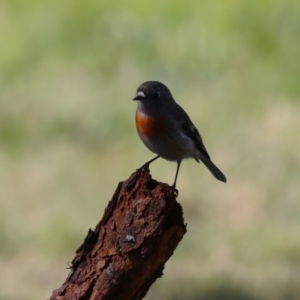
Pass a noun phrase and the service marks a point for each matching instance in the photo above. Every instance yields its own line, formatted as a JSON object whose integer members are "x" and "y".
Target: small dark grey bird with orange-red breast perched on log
{"x": 166, "y": 129}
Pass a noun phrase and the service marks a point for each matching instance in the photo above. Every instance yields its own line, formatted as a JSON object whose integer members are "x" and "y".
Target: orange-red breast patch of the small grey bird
{"x": 148, "y": 127}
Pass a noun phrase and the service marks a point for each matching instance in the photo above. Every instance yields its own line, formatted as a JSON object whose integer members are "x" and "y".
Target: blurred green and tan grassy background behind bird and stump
{"x": 69, "y": 70}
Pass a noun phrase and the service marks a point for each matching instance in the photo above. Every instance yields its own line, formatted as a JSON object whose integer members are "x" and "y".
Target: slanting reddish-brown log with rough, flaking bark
{"x": 141, "y": 227}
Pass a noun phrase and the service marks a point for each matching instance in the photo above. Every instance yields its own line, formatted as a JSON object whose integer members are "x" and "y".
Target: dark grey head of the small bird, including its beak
{"x": 153, "y": 93}
